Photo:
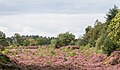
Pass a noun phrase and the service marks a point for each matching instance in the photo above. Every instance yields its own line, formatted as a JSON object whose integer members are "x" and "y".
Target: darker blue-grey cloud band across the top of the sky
{"x": 57, "y": 6}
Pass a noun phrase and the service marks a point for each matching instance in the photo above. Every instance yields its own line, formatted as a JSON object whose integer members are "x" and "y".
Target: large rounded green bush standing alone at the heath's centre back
{"x": 63, "y": 39}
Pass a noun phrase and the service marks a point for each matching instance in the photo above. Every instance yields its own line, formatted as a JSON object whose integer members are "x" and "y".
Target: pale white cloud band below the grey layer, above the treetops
{"x": 47, "y": 24}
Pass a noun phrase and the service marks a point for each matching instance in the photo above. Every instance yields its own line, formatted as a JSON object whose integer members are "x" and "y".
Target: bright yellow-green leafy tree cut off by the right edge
{"x": 114, "y": 29}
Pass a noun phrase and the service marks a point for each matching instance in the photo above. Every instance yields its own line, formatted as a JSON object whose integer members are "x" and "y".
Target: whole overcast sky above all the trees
{"x": 51, "y": 17}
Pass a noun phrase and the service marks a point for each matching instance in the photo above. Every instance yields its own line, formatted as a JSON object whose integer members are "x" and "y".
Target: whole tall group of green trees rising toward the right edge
{"x": 104, "y": 34}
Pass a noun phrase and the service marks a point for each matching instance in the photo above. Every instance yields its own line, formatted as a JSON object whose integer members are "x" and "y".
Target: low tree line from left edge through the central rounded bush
{"x": 62, "y": 39}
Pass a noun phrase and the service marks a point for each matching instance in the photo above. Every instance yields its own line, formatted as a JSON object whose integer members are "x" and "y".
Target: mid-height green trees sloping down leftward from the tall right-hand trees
{"x": 91, "y": 34}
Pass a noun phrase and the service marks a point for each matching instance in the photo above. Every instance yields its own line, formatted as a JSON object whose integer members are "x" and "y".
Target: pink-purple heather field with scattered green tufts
{"x": 64, "y": 58}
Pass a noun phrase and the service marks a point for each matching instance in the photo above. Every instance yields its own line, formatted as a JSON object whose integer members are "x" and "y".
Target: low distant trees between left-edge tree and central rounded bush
{"x": 32, "y": 40}
